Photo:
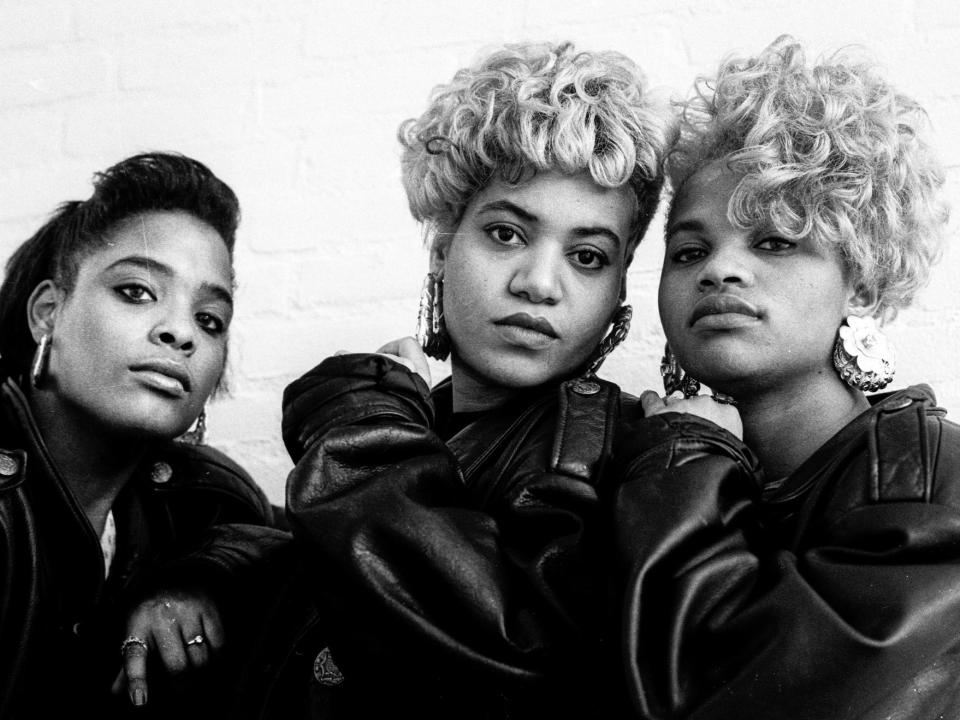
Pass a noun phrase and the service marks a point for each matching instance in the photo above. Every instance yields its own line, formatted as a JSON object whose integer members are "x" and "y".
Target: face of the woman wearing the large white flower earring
{"x": 746, "y": 308}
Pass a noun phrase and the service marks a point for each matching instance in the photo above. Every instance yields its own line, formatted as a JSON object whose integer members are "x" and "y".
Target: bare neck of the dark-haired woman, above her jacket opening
{"x": 95, "y": 463}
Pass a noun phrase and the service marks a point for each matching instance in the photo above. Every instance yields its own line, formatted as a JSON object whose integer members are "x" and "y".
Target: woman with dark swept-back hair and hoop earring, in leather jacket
{"x": 115, "y": 546}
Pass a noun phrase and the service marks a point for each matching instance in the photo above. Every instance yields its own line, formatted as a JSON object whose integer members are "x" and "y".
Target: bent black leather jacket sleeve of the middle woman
{"x": 378, "y": 496}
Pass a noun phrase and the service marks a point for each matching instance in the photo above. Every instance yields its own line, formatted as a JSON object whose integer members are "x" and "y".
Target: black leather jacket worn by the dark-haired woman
{"x": 189, "y": 515}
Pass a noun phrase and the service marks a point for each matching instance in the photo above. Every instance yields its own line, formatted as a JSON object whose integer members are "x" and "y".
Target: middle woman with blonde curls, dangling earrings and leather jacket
{"x": 449, "y": 532}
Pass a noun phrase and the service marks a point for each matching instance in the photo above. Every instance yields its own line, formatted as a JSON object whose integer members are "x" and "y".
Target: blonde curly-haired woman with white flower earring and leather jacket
{"x": 806, "y": 208}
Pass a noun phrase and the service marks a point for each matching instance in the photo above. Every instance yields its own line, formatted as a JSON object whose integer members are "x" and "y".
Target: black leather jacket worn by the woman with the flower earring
{"x": 832, "y": 596}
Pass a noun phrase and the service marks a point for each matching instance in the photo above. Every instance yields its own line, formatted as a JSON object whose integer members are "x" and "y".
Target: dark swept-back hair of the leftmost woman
{"x": 142, "y": 183}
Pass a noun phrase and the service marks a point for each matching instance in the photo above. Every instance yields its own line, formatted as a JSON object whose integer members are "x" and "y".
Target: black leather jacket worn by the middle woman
{"x": 457, "y": 563}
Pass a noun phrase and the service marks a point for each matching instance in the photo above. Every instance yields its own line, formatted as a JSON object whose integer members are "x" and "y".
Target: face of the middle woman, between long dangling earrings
{"x": 532, "y": 276}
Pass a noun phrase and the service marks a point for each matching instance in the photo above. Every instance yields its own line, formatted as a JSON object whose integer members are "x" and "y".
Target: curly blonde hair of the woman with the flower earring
{"x": 829, "y": 150}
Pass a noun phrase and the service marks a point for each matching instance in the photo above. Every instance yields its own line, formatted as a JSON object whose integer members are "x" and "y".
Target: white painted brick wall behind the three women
{"x": 296, "y": 104}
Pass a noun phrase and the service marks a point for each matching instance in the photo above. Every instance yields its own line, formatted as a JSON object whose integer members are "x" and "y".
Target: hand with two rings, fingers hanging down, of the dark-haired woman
{"x": 183, "y": 627}
